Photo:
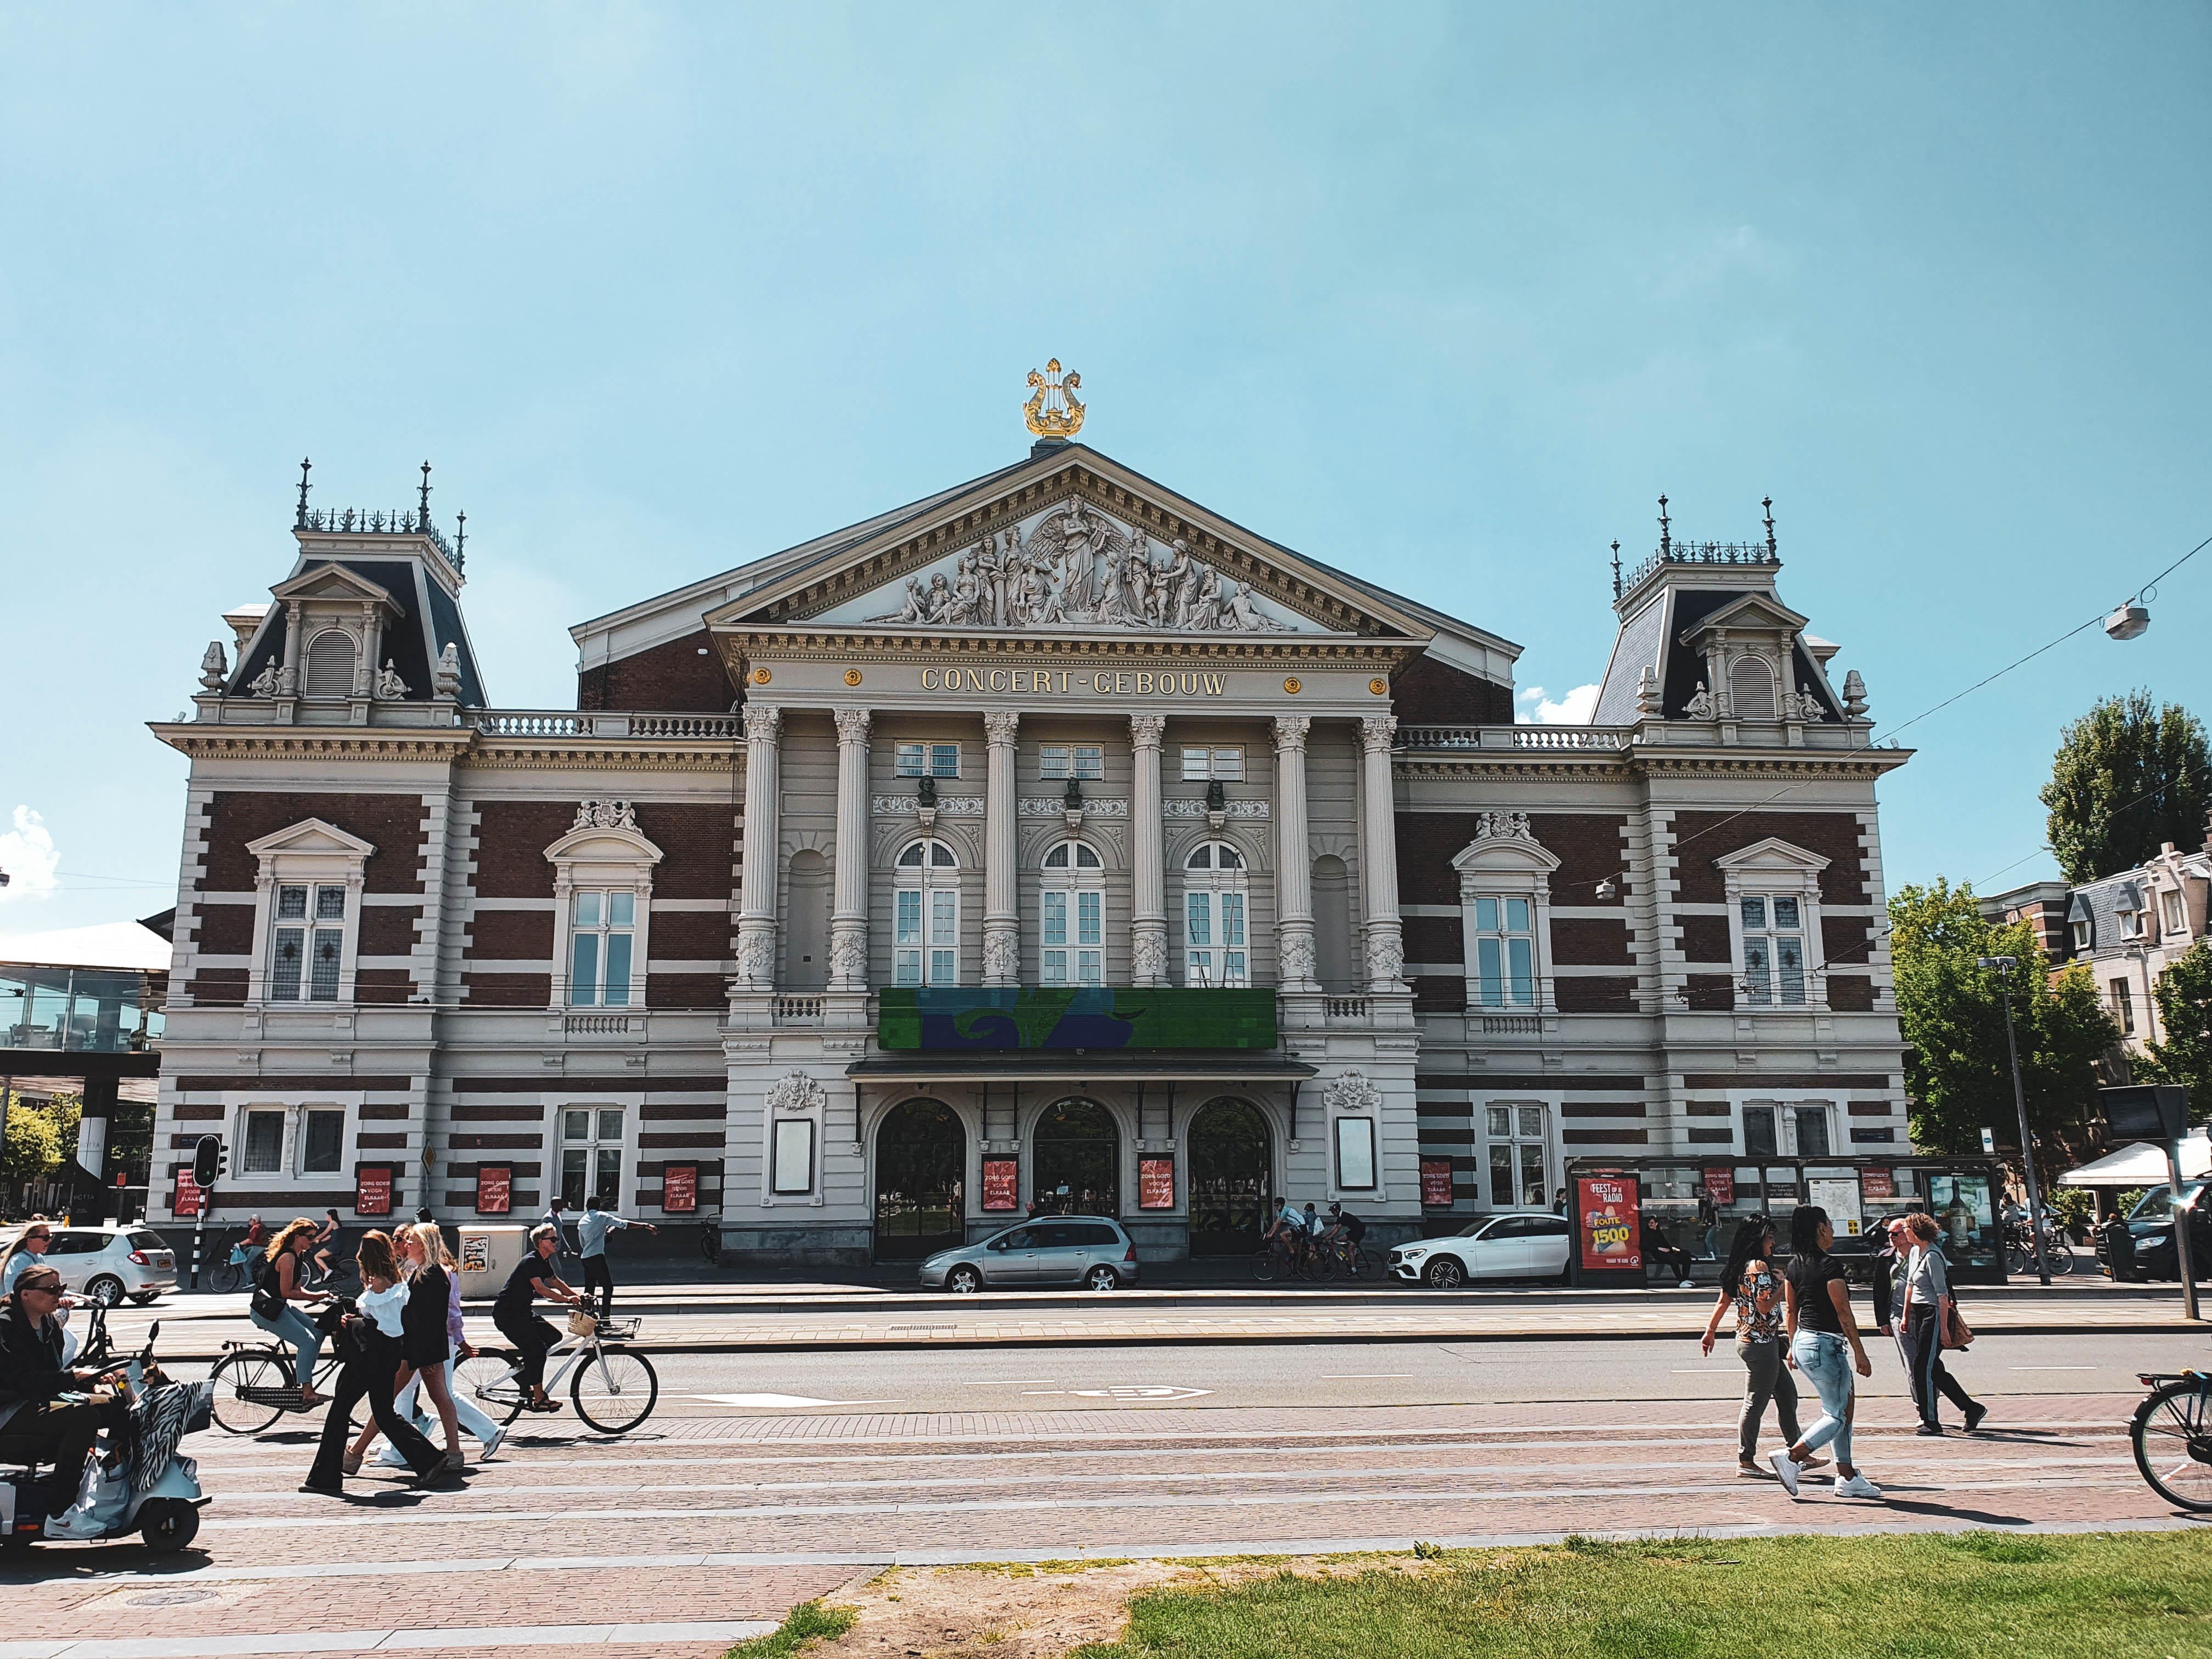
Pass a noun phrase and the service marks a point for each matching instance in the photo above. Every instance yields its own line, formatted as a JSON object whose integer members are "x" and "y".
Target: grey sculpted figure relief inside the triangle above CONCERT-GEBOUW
{"x": 1072, "y": 567}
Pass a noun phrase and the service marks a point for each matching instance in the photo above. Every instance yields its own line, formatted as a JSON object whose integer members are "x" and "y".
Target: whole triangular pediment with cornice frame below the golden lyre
{"x": 1070, "y": 545}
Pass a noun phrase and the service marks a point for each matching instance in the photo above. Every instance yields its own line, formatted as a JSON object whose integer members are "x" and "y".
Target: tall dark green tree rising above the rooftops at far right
{"x": 2127, "y": 780}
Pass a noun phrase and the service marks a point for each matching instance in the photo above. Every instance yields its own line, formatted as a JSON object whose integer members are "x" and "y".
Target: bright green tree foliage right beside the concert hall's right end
{"x": 1952, "y": 1014}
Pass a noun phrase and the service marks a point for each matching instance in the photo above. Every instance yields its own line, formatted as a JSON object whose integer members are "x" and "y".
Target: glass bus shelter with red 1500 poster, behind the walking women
{"x": 1698, "y": 1207}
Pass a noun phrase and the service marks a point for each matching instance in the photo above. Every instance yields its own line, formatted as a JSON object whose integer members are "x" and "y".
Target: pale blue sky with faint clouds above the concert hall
{"x": 1446, "y": 295}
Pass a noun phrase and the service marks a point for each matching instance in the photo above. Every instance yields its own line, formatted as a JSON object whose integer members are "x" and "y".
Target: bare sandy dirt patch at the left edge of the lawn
{"x": 1032, "y": 1611}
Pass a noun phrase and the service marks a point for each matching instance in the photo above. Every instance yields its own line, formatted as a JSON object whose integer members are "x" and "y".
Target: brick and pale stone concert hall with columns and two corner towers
{"x": 1045, "y": 842}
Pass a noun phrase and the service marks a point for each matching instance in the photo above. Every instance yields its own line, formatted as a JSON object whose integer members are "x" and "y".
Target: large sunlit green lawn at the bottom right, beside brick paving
{"x": 1746, "y": 1598}
